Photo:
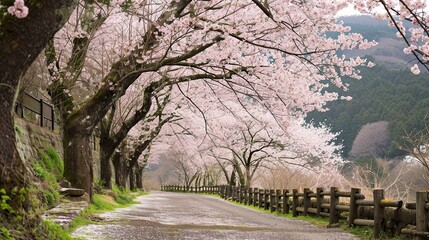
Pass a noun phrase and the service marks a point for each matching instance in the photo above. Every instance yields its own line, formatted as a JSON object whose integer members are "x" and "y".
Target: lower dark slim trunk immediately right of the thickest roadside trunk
{"x": 106, "y": 151}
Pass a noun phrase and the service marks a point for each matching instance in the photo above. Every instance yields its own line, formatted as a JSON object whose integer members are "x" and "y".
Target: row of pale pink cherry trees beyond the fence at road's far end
{"x": 239, "y": 143}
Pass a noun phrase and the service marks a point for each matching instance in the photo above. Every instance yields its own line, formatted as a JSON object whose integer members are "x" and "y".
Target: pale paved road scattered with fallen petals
{"x": 164, "y": 215}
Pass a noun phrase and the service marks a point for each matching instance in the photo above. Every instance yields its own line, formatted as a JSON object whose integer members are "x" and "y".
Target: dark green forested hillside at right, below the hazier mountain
{"x": 396, "y": 96}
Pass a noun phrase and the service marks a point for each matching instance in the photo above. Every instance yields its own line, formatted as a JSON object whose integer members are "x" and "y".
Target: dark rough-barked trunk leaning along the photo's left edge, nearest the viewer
{"x": 21, "y": 41}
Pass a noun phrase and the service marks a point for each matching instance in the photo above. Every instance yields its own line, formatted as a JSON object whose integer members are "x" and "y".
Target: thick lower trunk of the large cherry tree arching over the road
{"x": 78, "y": 168}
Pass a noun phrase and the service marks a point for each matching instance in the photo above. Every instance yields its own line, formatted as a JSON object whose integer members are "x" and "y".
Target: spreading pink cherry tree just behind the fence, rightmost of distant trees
{"x": 255, "y": 145}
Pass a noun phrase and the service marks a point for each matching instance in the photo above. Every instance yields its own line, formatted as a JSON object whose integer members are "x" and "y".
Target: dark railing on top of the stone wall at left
{"x": 31, "y": 108}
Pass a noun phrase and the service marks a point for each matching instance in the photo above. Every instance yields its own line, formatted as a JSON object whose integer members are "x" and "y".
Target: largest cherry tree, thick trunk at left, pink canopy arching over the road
{"x": 277, "y": 53}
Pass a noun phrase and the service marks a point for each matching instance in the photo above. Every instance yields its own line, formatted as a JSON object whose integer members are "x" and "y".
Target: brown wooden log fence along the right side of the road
{"x": 383, "y": 215}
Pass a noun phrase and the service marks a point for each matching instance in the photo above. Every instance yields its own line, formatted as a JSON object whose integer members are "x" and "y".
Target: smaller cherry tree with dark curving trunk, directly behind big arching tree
{"x": 131, "y": 111}
